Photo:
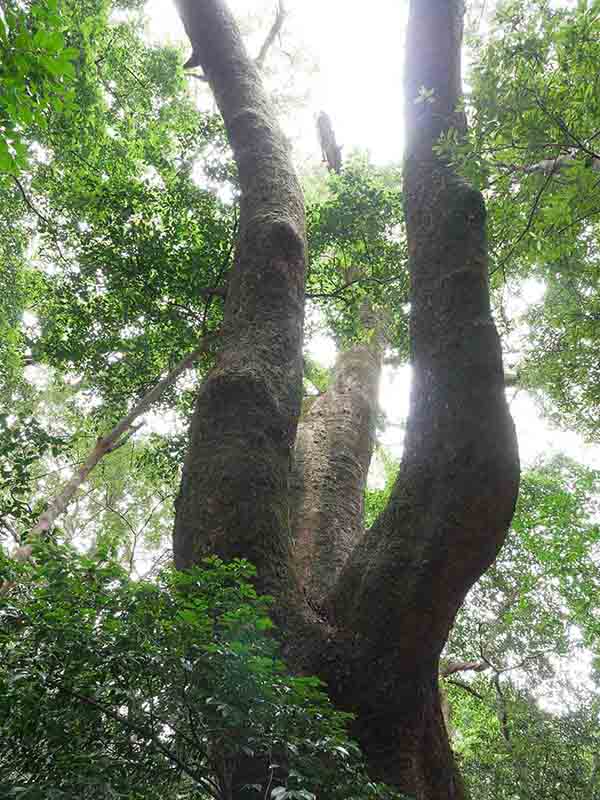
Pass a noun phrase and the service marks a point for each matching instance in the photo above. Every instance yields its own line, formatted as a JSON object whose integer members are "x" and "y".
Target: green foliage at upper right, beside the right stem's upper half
{"x": 534, "y": 109}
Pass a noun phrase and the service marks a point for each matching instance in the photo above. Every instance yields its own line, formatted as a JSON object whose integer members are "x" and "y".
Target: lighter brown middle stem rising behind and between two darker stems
{"x": 334, "y": 447}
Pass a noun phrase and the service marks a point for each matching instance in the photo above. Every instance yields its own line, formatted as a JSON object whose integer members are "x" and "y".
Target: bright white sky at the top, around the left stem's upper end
{"x": 358, "y": 57}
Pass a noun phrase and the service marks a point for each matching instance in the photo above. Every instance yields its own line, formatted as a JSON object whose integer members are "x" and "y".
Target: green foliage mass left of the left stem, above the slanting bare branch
{"x": 126, "y": 238}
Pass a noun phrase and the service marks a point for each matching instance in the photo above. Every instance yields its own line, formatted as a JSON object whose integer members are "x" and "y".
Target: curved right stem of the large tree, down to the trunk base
{"x": 455, "y": 494}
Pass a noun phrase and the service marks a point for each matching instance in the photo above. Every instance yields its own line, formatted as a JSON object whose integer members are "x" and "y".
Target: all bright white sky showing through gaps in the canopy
{"x": 358, "y": 80}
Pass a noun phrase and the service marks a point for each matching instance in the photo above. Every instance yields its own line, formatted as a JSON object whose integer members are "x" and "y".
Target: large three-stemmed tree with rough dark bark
{"x": 369, "y": 612}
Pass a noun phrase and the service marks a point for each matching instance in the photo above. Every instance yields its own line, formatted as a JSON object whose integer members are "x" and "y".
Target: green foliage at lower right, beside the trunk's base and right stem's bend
{"x": 525, "y": 623}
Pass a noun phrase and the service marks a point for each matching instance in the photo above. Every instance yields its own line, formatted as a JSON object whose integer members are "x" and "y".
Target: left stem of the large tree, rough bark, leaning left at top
{"x": 234, "y": 493}
